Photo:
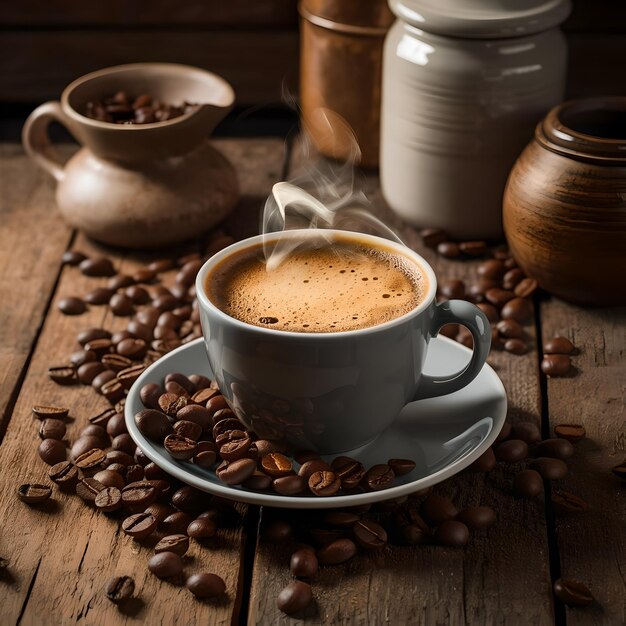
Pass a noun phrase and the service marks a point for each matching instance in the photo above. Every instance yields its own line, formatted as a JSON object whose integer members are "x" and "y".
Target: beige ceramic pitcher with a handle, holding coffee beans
{"x": 144, "y": 185}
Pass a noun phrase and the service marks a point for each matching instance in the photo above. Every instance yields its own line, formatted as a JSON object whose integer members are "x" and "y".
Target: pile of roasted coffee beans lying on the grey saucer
{"x": 193, "y": 421}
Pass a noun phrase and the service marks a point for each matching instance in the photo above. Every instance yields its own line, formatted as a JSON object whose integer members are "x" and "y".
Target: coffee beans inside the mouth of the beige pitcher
{"x": 122, "y": 108}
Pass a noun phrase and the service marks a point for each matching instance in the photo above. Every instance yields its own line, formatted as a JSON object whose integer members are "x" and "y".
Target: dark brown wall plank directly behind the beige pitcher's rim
{"x": 38, "y": 65}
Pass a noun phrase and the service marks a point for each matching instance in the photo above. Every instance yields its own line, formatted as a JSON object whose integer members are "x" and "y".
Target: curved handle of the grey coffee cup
{"x": 470, "y": 316}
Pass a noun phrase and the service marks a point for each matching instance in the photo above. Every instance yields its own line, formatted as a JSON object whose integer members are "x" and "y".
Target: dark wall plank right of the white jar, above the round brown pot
{"x": 594, "y": 62}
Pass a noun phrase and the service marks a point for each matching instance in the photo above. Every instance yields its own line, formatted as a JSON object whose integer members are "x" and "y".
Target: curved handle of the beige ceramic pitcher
{"x": 36, "y": 140}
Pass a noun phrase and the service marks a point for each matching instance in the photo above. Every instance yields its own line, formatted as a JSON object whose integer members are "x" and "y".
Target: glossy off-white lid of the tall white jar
{"x": 482, "y": 19}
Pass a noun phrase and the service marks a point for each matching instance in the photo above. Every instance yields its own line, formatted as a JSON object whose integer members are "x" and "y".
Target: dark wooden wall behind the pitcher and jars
{"x": 45, "y": 44}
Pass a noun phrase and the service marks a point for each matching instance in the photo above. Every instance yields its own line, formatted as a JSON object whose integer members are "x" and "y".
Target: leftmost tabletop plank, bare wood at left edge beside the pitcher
{"x": 32, "y": 239}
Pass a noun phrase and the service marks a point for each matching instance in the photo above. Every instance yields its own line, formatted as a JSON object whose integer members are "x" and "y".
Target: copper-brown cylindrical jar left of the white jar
{"x": 340, "y": 74}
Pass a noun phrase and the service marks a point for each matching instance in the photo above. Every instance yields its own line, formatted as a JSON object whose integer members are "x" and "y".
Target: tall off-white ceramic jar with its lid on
{"x": 464, "y": 84}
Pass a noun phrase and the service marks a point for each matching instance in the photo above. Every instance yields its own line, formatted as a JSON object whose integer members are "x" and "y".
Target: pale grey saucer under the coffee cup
{"x": 442, "y": 435}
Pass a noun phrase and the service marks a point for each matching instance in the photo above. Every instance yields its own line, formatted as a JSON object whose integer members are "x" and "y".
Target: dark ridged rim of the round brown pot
{"x": 555, "y": 131}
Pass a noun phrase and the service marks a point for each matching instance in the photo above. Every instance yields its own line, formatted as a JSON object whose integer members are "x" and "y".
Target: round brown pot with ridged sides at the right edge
{"x": 564, "y": 209}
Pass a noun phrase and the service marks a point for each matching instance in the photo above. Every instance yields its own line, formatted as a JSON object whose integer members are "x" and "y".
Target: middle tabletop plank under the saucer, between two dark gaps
{"x": 430, "y": 584}
